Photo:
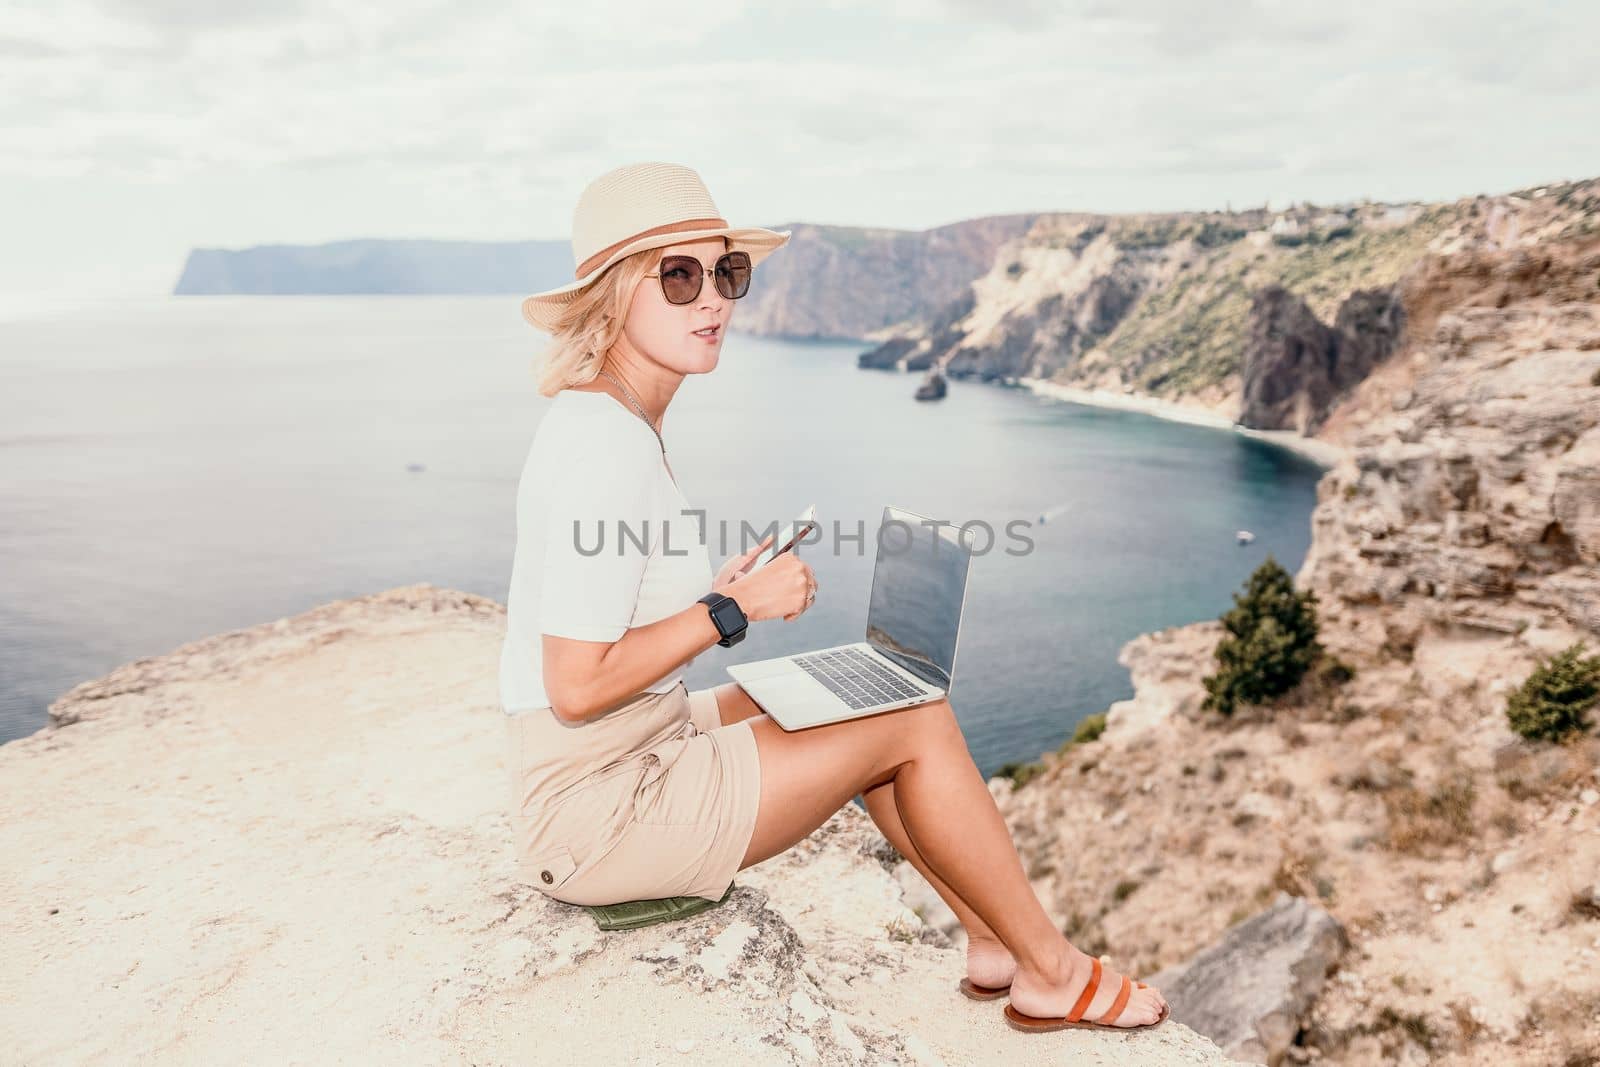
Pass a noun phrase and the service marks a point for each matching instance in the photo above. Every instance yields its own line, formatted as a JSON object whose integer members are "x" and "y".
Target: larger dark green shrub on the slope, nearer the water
{"x": 1271, "y": 641}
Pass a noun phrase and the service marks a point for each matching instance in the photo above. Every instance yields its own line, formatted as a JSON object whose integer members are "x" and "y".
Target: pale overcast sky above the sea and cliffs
{"x": 135, "y": 130}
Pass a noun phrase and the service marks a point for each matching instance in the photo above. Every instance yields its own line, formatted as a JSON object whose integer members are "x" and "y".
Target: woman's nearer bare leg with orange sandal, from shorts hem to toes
{"x": 953, "y": 823}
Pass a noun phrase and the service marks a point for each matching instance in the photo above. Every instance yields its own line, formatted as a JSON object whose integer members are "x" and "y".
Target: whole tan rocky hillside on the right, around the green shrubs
{"x": 1454, "y": 546}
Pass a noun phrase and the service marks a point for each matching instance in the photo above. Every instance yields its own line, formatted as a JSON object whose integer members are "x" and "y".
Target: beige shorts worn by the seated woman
{"x": 673, "y": 821}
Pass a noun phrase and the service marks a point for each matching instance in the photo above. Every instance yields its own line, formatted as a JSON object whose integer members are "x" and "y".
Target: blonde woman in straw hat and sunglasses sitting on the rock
{"x": 628, "y": 786}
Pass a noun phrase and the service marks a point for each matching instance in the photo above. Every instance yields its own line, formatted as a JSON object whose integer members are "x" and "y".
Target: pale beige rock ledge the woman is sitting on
{"x": 289, "y": 844}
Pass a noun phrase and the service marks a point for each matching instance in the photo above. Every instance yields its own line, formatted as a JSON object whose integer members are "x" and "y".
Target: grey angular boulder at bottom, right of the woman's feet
{"x": 1252, "y": 989}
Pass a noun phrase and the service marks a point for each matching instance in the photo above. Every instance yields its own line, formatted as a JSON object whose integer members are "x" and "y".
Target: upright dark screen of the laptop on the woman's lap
{"x": 919, "y": 583}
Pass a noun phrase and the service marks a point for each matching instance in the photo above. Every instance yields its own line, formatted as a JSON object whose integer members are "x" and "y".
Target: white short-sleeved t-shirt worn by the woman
{"x": 634, "y": 557}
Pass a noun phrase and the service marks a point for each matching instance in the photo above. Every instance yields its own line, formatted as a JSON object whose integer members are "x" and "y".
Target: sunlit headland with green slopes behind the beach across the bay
{"x": 1262, "y": 318}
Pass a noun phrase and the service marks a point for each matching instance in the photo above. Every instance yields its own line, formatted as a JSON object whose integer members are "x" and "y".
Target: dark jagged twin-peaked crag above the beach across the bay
{"x": 1297, "y": 367}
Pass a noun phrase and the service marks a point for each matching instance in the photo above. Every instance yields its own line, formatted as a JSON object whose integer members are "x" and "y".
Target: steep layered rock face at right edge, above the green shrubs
{"x": 1473, "y": 497}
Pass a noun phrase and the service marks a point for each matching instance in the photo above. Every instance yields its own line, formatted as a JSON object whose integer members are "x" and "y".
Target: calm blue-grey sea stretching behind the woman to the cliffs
{"x": 175, "y": 468}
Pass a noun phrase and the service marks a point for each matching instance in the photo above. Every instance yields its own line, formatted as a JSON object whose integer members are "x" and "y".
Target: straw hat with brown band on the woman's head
{"x": 638, "y": 207}
